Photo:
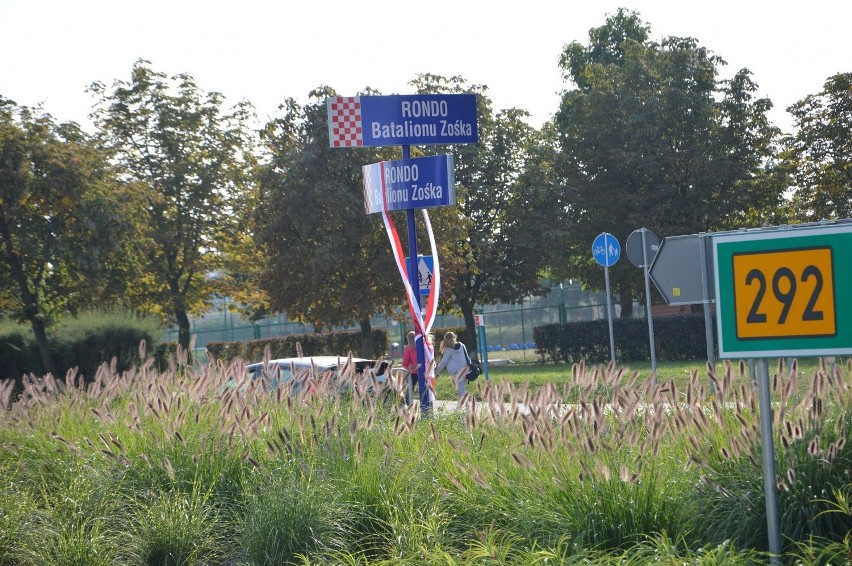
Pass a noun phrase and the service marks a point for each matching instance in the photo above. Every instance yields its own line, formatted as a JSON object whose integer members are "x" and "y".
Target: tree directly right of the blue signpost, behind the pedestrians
{"x": 505, "y": 218}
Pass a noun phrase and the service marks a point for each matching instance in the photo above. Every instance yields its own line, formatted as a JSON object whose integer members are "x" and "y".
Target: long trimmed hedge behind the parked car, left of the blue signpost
{"x": 334, "y": 344}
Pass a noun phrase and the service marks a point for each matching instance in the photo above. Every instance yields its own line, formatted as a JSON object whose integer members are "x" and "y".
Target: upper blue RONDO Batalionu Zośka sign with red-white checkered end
{"x": 415, "y": 119}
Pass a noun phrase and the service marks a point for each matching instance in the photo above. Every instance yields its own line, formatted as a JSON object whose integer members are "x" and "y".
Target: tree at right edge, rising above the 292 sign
{"x": 819, "y": 155}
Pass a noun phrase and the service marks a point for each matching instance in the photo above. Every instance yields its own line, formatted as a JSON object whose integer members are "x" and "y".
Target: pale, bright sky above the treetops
{"x": 266, "y": 51}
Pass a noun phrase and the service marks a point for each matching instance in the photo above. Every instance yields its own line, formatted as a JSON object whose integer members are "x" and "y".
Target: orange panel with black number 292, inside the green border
{"x": 784, "y": 293}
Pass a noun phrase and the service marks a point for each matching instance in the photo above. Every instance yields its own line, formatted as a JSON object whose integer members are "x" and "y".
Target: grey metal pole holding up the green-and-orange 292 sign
{"x": 769, "y": 489}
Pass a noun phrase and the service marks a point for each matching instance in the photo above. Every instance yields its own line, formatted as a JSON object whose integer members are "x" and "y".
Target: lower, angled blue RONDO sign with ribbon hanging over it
{"x": 407, "y": 184}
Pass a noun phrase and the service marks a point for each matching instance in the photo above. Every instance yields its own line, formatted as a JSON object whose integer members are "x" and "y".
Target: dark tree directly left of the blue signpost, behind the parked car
{"x": 327, "y": 262}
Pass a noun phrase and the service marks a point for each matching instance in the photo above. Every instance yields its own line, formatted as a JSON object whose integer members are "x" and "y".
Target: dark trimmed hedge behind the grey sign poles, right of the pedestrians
{"x": 680, "y": 337}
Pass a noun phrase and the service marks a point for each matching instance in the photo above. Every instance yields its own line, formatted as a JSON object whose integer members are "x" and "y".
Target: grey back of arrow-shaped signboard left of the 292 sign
{"x": 677, "y": 271}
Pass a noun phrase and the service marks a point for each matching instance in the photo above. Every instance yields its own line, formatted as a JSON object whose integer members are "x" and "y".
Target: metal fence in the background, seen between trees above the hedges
{"x": 508, "y": 327}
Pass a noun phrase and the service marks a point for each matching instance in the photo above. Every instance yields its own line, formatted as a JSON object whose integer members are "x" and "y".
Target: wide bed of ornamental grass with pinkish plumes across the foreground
{"x": 201, "y": 465}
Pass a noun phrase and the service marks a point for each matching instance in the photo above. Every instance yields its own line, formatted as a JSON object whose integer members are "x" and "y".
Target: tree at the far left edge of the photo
{"x": 61, "y": 218}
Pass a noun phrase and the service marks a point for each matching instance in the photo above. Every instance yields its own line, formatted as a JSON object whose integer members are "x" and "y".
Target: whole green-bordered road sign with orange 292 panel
{"x": 780, "y": 291}
